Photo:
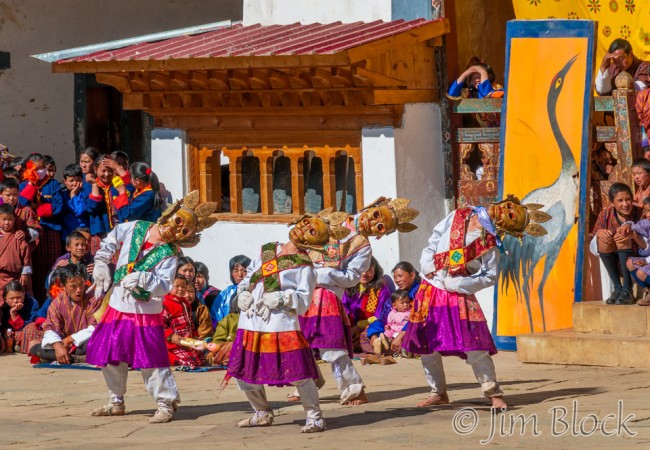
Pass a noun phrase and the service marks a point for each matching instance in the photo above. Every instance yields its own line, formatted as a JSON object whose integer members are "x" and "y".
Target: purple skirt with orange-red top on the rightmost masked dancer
{"x": 448, "y": 323}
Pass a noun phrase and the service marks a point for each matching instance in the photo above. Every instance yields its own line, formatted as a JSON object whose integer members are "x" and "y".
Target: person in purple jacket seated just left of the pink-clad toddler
{"x": 366, "y": 303}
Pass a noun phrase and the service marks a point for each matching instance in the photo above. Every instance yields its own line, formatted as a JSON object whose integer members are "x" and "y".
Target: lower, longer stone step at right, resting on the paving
{"x": 586, "y": 349}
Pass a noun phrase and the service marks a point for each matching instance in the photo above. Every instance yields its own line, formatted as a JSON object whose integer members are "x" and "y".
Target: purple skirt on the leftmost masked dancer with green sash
{"x": 135, "y": 339}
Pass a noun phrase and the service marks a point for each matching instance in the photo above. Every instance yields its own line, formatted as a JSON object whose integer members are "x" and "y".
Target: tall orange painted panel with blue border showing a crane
{"x": 545, "y": 139}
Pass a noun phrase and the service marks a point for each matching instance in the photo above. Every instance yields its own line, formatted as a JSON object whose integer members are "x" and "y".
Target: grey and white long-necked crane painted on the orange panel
{"x": 559, "y": 200}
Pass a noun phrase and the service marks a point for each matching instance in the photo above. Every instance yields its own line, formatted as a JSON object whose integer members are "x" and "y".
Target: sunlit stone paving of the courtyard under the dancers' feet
{"x": 562, "y": 407}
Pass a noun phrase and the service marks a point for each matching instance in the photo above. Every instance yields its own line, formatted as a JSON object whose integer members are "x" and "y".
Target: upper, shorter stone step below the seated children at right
{"x": 597, "y": 317}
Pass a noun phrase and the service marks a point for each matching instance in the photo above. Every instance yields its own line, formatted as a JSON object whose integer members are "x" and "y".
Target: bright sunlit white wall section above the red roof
{"x": 268, "y": 12}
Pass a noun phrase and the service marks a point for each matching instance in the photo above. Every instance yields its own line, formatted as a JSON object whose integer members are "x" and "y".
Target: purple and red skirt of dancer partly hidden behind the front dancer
{"x": 325, "y": 324}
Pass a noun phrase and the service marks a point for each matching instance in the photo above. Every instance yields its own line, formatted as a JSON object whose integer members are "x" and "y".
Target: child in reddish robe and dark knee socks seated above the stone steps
{"x": 612, "y": 241}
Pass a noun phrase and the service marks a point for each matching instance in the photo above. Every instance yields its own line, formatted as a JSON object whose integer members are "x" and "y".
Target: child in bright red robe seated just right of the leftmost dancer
{"x": 177, "y": 319}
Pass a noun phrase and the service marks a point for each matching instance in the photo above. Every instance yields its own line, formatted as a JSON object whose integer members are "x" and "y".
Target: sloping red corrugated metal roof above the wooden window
{"x": 258, "y": 40}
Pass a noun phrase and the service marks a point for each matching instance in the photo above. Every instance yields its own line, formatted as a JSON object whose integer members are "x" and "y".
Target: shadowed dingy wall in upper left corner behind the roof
{"x": 37, "y": 106}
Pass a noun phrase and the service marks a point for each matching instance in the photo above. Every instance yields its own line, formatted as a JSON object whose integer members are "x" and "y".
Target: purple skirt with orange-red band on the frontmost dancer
{"x": 276, "y": 359}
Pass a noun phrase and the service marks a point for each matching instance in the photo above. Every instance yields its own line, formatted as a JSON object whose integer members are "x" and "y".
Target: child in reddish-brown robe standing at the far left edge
{"x": 15, "y": 256}
